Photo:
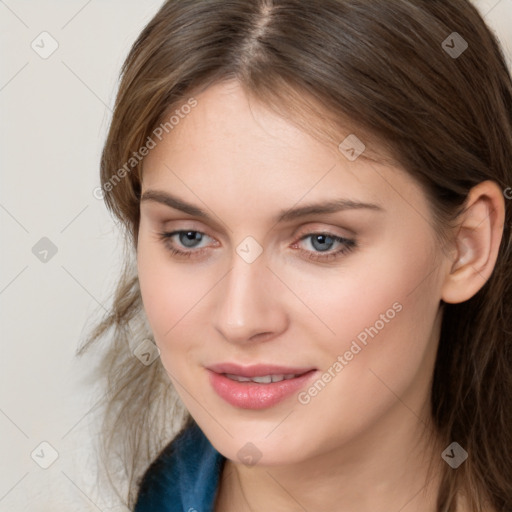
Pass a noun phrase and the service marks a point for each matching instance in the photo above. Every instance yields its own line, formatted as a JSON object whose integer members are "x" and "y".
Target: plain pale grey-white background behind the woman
{"x": 54, "y": 115}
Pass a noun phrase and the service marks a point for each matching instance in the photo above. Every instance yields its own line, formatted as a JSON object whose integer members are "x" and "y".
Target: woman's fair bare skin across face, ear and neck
{"x": 360, "y": 443}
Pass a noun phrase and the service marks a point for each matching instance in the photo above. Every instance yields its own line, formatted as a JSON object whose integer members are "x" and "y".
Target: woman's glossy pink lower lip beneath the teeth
{"x": 251, "y": 395}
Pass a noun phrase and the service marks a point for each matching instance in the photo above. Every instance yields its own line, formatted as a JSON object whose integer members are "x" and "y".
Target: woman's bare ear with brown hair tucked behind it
{"x": 479, "y": 233}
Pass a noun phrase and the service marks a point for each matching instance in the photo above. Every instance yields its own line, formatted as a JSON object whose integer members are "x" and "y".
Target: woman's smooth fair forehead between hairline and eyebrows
{"x": 233, "y": 146}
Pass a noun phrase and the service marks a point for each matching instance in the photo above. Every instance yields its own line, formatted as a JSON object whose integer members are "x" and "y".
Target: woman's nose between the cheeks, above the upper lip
{"x": 250, "y": 306}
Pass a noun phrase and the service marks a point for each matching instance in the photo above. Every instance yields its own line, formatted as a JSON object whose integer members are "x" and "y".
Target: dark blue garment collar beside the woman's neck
{"x": 184, "y": 477}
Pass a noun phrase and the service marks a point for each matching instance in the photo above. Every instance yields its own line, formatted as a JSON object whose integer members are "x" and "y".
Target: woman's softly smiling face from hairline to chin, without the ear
{"x": 346, "y": 300}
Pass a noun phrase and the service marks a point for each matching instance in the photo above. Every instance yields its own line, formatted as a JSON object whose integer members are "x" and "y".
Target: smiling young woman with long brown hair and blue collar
{"x": 316, "y": 195}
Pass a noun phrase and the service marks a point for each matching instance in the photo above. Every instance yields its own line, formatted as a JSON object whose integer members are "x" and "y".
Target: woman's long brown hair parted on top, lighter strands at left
{"x": 386, "y": 68}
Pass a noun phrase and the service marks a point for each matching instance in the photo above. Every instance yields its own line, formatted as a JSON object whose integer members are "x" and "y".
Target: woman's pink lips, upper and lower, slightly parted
{"x": 252, "y": 395}
